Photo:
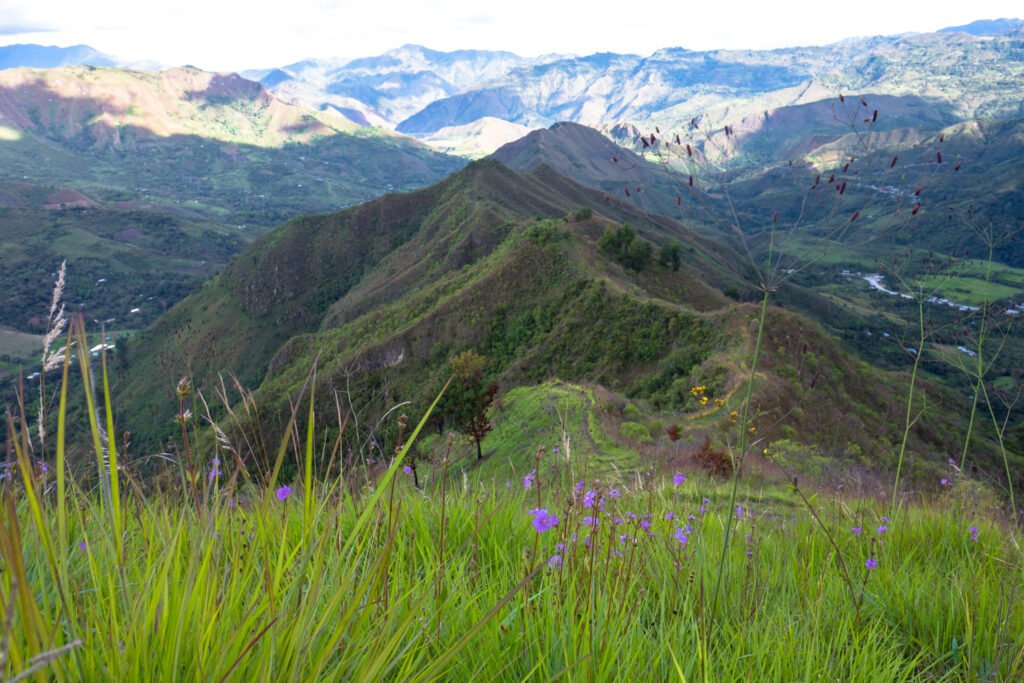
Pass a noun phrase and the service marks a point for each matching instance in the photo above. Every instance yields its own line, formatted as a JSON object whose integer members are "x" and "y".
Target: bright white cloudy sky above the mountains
{"x": 232, "y": 35}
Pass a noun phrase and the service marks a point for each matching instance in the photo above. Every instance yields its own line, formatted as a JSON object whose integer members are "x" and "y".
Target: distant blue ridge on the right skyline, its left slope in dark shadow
{"x": 674, "y": 86}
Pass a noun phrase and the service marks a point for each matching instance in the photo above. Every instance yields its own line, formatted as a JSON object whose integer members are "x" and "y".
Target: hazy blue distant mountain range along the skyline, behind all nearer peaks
{"x": 974, "y": 72}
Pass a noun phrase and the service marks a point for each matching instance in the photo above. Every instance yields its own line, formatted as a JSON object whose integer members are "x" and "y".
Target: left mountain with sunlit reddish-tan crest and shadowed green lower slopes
{"x": 149, "y": 183}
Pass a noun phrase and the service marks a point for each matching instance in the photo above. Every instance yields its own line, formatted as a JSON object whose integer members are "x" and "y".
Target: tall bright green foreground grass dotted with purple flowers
{"x": 394, "y": 584}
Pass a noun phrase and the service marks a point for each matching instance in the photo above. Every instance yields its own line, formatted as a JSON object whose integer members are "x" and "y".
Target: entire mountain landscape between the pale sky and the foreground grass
{"x": 631, "y": 211}
